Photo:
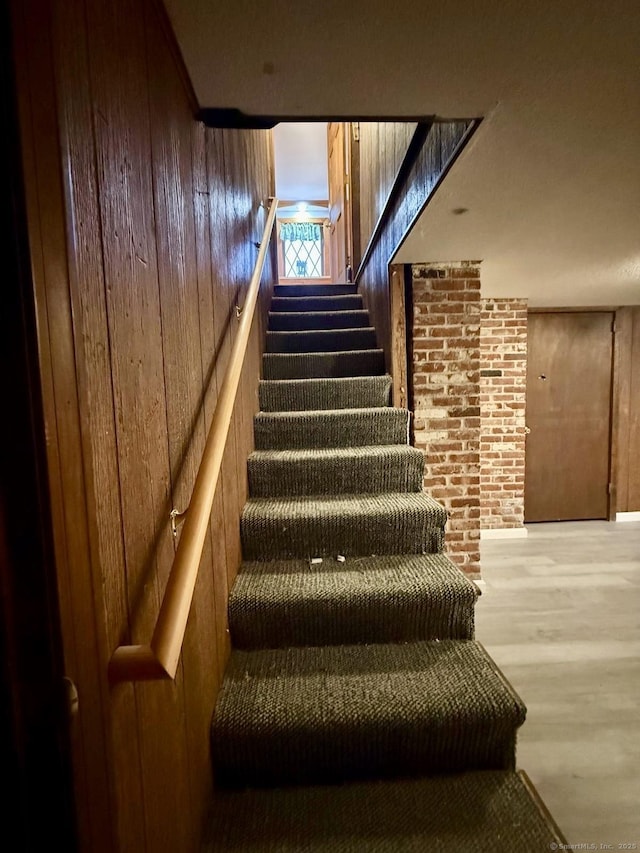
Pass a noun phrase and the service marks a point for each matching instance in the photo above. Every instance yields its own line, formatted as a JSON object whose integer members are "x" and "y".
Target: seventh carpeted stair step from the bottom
{"x": 294, "y": 395}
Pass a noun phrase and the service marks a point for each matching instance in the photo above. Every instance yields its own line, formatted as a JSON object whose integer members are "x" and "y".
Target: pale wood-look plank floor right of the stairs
{"x": 560, "y": 615}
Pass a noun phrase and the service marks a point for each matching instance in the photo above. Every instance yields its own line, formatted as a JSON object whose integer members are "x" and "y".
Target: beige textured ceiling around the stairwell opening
{"x": 550, "y": 181}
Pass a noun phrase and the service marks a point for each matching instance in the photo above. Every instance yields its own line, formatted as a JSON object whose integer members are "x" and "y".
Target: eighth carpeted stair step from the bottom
{"x": 315, "y": 365}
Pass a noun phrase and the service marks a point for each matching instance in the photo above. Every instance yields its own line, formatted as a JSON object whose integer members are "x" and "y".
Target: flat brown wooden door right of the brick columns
{"x": 569, "y": 372}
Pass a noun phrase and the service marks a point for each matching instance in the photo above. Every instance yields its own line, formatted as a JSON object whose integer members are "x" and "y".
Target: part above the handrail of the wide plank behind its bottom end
{"x": 121, "y": 121}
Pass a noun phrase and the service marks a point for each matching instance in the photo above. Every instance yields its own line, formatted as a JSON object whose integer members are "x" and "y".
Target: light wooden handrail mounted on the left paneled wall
{"x": 159, "y": 660}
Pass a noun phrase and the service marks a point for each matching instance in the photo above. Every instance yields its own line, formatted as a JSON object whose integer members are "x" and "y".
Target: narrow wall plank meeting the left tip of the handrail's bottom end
{"x": 97, "y": 401}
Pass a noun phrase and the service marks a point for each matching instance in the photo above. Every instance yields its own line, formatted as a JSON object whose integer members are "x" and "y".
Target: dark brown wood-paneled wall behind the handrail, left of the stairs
{"x": 141, "y": 227}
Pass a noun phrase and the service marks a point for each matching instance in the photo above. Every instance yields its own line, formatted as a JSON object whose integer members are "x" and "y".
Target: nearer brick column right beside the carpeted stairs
{"x": 446, "y": 397}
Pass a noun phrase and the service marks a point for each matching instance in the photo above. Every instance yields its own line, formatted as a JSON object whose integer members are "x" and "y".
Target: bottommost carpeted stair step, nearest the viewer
{"x": 487, "y": 810}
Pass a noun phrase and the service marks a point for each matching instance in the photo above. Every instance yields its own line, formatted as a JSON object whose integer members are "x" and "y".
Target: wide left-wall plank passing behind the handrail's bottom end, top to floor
{"x": 122, "y": 122}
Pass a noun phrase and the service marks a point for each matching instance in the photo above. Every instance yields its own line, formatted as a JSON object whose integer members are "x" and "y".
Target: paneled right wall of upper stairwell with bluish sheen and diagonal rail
{"x": 443, "y": 143}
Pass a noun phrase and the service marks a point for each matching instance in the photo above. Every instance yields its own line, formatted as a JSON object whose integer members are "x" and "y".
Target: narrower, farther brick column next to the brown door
{"x": 503, "y": 381}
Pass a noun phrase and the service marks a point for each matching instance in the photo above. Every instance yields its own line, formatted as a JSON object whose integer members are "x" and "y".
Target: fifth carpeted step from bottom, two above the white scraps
{"x": 338, "y": 470}
